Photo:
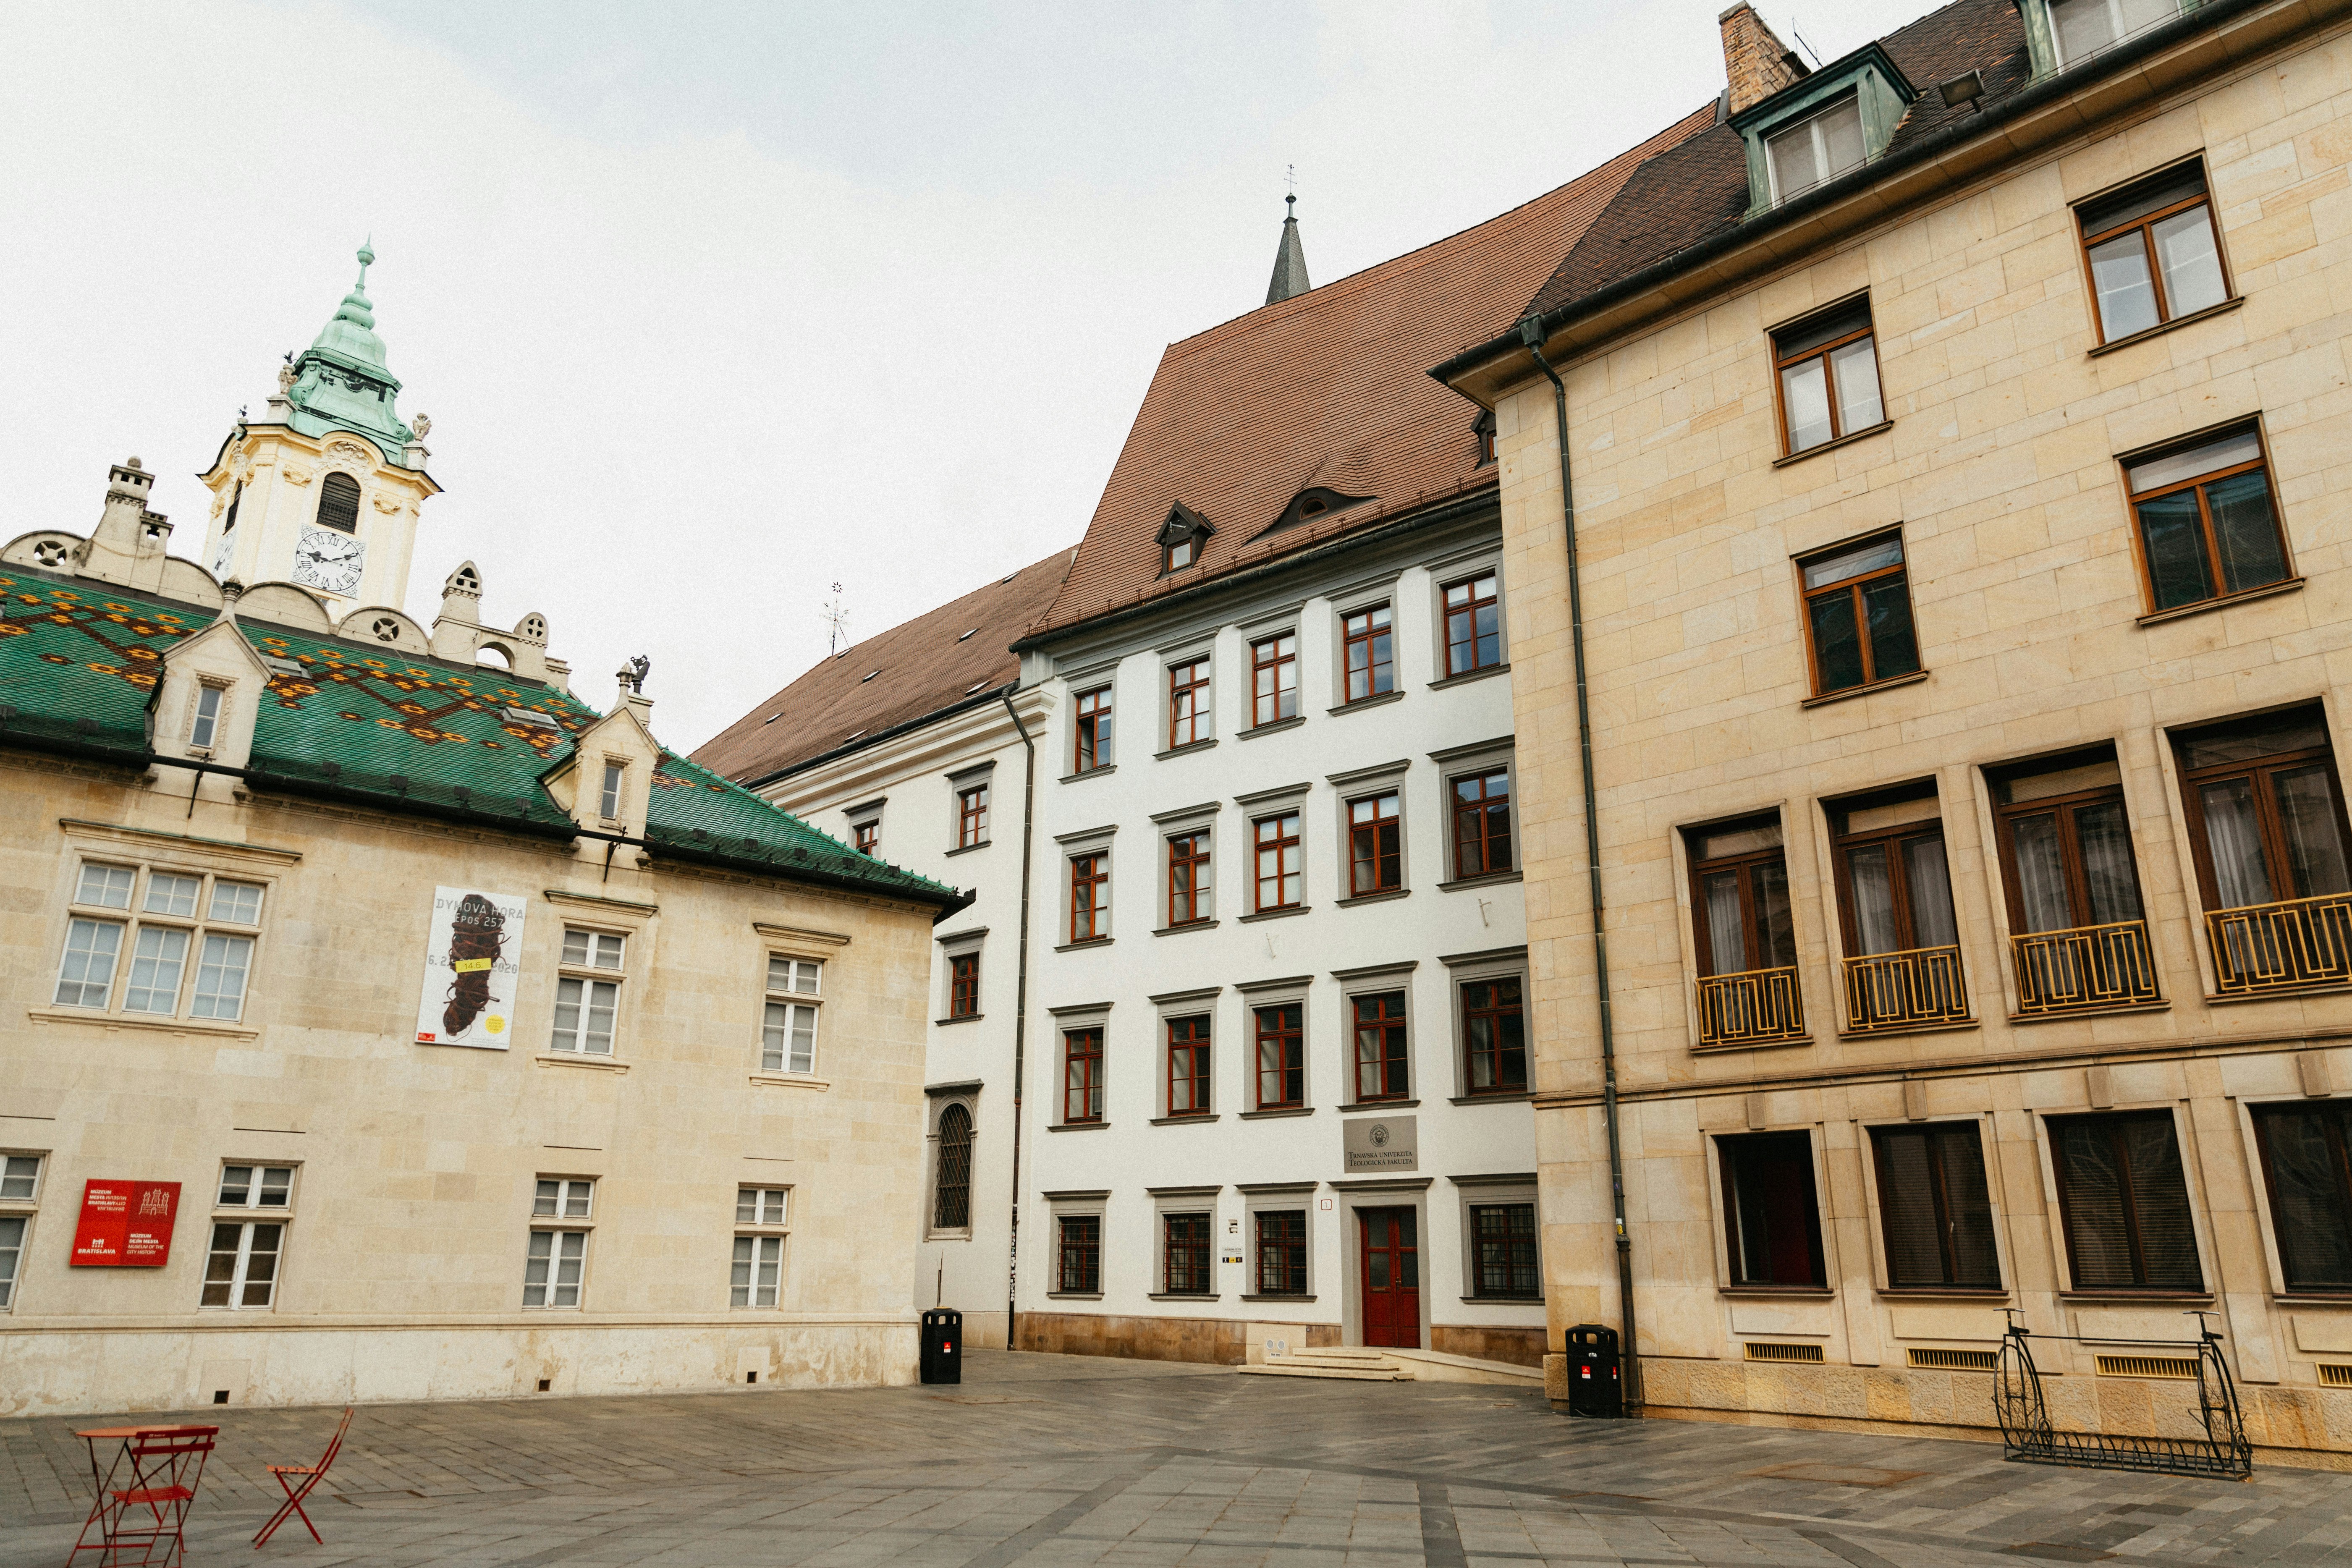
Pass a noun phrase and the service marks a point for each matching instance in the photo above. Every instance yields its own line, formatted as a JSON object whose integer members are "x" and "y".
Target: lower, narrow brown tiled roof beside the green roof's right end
{"x": 921, "y": 666}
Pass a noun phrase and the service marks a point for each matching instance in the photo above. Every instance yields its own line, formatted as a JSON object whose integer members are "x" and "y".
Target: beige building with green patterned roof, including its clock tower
{"x": 377, "y": 1019}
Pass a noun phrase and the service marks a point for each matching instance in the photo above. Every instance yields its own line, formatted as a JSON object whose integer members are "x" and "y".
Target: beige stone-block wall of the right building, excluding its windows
{"x": 2000, "y": 467}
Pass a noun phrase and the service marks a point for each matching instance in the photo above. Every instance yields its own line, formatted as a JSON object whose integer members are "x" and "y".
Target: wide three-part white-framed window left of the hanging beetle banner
{"x": 159, "y": 942}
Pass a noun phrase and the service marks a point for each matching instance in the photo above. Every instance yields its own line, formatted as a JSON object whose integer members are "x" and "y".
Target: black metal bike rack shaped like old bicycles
{"x": 2029, "y": 1435}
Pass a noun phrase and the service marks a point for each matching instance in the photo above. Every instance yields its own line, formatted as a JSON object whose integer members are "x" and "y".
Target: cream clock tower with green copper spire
{"x": 323, "y": 490}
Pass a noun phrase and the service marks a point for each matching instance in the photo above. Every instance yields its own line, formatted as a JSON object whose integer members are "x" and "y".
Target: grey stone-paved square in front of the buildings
{"x": 1093, "y": 1461}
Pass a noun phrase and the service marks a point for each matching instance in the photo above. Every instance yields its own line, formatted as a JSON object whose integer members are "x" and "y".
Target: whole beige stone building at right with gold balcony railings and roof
{"x": 1958, "y": 443}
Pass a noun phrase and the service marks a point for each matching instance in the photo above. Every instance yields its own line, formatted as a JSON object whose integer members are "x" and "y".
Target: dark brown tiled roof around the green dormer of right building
{"x": 1699, "y": 187}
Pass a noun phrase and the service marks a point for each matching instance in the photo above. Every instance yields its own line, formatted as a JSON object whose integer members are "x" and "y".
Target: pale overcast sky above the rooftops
{"x": 721, "y": 304}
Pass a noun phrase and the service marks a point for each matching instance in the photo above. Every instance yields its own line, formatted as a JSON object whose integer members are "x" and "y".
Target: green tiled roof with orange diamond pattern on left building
{"x": 81, "y": 662}
